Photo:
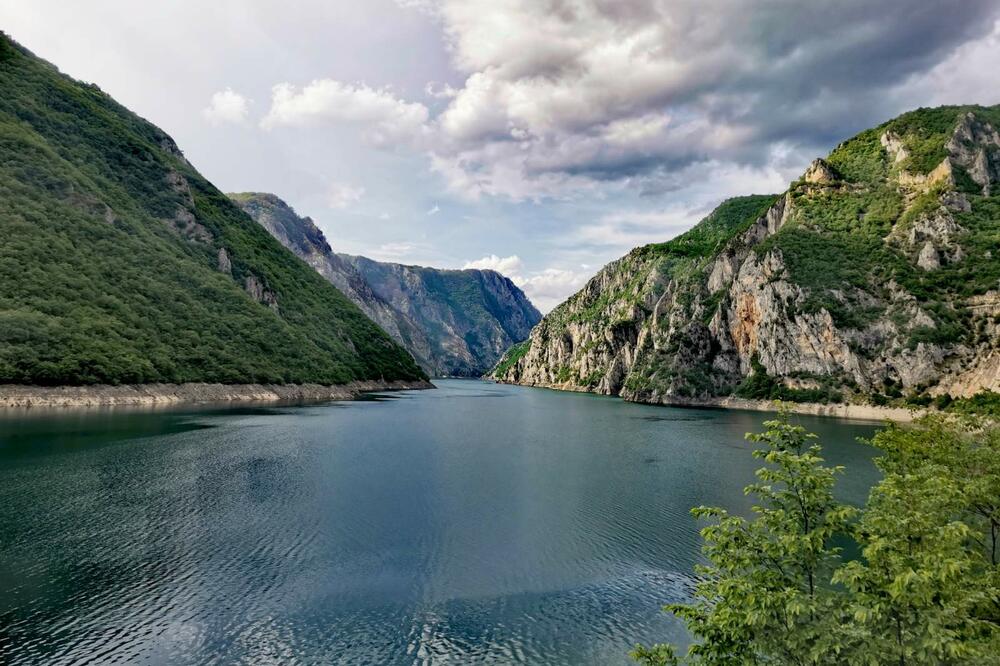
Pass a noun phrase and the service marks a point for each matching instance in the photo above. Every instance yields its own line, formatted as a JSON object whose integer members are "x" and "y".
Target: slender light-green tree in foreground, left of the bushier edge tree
{"x": 764, "y": 596}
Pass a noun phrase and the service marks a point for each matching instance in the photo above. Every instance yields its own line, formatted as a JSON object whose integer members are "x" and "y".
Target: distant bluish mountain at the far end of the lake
{"x": 455, "y": 323}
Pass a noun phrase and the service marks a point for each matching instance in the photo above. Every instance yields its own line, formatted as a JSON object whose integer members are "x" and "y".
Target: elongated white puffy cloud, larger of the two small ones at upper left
{"x": 383, "y": 119}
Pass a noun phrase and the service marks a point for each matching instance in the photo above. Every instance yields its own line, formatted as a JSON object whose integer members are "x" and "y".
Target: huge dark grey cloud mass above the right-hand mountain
{"x": 594, "y": 92}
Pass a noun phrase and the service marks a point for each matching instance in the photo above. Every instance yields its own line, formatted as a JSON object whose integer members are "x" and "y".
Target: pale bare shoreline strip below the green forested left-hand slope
{"x": 17, "y": 396}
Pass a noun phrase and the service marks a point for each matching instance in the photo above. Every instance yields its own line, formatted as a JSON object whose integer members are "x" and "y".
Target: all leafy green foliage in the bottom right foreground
{"x": 923, "y": 589}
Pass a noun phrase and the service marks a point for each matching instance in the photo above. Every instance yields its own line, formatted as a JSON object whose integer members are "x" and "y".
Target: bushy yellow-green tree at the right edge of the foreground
{"x": 926, "y": 588}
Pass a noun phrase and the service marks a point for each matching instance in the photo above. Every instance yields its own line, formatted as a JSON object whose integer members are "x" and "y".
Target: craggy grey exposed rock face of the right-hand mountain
{"x": 645, "y": 330}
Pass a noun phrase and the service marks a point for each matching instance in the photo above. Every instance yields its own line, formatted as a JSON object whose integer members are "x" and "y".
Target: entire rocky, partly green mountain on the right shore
{"x": 874, "y": 278}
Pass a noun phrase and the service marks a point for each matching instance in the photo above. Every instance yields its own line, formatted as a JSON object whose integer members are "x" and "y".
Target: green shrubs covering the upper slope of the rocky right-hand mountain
{"x": 855, "y": 222}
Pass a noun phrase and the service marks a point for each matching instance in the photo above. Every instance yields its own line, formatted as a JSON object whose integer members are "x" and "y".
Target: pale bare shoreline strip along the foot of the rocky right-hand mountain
{"x": 837, "y": 410}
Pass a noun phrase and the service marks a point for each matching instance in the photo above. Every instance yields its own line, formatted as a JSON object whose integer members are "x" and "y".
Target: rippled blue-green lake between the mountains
{"x": 476, "y": 523}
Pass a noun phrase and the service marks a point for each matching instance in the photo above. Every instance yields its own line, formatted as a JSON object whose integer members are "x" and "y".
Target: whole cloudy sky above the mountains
{"x": 541, "y": 138}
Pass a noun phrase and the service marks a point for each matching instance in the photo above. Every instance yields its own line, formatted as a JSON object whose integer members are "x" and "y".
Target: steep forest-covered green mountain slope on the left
{"x": 120, "y": 263}
